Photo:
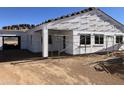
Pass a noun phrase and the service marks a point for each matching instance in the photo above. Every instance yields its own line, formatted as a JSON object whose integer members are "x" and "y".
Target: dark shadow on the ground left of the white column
{"x": 17, "y": 55}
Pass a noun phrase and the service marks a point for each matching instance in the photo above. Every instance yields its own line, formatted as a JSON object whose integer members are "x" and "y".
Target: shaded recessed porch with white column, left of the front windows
{"x": 51, "y": 42}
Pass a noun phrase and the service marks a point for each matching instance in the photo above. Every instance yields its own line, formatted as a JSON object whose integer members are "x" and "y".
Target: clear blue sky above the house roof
{"x": 9, "y": 16}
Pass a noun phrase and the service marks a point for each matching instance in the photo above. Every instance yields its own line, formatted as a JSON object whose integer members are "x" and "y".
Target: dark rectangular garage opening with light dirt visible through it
{"x": 11, "y": 42}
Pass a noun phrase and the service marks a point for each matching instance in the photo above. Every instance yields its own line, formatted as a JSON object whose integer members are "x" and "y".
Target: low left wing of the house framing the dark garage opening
{"x": 12, "y": 40}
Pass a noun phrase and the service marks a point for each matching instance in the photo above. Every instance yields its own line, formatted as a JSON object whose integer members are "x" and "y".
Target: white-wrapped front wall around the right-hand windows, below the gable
{"x": 109, "y": 45}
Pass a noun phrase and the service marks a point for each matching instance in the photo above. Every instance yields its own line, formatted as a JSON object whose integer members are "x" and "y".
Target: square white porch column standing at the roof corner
{"x": 45, "y": 42}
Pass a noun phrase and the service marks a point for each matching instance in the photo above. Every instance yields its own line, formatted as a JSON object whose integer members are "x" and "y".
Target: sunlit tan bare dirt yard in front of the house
{"x": 66, "y": 70}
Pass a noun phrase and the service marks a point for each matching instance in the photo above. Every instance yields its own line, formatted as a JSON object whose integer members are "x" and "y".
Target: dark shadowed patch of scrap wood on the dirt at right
{"x": 111, "y": 66}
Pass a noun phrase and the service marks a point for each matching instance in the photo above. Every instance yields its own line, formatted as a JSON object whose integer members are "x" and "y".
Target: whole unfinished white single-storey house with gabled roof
{"x": 87, "y": 31}
